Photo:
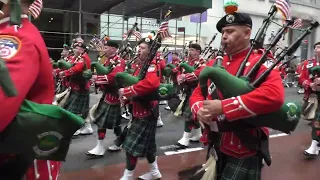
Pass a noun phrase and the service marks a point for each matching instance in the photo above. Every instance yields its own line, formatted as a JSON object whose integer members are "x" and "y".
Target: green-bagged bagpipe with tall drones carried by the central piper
{"x": 124, "y": 79}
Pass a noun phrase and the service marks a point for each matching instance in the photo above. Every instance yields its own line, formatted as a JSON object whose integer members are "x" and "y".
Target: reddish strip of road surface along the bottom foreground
{"x": 288, "y": 162}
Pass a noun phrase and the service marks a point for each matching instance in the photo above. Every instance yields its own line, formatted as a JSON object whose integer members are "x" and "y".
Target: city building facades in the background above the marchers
{"x": 61, "y": 20}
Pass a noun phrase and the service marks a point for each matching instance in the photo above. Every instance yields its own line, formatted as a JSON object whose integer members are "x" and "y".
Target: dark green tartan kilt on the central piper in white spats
{"x": 141, "y": 137}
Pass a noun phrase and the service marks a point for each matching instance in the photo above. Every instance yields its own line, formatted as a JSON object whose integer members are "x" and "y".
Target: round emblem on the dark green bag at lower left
{"x": 48, "y": 143}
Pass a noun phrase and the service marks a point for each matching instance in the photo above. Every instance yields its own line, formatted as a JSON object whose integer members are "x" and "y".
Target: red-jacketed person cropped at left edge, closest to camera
{"x": 22, "y": 45}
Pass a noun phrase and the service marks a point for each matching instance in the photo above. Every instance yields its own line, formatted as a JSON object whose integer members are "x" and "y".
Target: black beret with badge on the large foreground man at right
{"x": 233, "y": 20}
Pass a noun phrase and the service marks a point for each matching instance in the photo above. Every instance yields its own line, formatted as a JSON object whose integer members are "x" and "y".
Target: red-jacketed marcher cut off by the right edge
{"x": 311, "y": 84}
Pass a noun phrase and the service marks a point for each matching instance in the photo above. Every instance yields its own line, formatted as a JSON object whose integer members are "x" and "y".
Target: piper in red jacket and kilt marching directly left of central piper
{"x": 108, "y": 115}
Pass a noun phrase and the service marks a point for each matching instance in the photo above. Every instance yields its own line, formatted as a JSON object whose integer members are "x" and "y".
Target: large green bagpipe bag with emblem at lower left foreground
{"x": 41, "y": 131}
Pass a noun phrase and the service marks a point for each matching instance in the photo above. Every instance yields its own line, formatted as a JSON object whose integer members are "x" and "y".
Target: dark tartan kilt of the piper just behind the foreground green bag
{"x": 78, "y": 103}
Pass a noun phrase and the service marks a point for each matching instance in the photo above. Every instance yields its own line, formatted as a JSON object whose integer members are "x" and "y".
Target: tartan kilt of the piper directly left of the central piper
{"x": 108, "y": 116}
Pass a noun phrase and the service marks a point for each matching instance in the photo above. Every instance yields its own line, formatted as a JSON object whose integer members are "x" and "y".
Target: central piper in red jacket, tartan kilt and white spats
{"x": 140, "y": 139}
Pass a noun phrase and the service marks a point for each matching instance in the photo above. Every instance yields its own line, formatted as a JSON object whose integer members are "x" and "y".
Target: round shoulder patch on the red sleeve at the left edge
{"x": 9, "y": 46}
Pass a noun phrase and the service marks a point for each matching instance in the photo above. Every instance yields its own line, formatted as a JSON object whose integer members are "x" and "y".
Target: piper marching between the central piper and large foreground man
{"x": 189, "y": 80}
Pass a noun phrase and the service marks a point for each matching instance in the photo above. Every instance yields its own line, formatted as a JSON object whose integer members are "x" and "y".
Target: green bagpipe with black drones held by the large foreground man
{"x": 288, "y": 116}
